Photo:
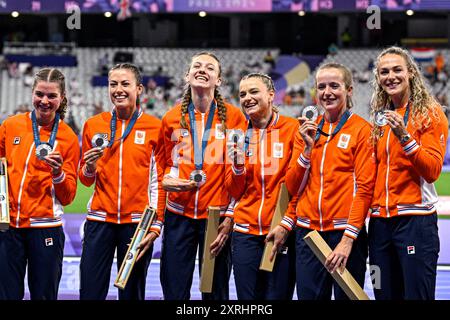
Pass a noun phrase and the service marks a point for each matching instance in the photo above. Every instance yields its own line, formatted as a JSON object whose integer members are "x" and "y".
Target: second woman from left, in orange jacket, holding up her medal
{"x": 120, "y": 156}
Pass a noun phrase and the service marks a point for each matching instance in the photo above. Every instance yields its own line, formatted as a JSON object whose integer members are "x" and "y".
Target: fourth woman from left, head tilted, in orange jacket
{"x": 255, "y": 184}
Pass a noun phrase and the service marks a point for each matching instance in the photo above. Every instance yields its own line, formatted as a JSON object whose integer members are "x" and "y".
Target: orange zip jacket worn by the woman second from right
{"x": 338, "y": 179}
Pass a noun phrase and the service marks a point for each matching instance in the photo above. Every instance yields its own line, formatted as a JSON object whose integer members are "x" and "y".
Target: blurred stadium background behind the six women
{"x": 287, "y": 39}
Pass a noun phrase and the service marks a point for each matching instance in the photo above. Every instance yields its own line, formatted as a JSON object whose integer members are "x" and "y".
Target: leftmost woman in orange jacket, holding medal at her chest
{"x": 42, "y": 179}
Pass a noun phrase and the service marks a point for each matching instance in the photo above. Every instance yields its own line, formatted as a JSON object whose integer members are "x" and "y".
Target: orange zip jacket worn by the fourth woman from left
{"x": 256, "y": 187}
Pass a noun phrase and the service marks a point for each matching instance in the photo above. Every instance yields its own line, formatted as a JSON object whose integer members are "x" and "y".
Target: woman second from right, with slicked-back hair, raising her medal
{"x": 333, "y": 160}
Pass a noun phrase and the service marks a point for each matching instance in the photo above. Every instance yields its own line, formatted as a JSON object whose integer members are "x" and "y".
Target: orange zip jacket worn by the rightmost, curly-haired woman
{"x": 404, "y": 184}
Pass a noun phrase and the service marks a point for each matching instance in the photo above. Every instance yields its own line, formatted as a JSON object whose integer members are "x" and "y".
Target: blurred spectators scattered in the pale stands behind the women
{"x": 158, "y": 99}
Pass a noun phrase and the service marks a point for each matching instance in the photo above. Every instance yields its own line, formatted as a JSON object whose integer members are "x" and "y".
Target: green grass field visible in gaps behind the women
{"x": 84, "y": 193}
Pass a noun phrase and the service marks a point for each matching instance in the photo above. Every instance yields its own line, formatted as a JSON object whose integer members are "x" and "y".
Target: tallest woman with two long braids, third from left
{"x": 194, "y": 138}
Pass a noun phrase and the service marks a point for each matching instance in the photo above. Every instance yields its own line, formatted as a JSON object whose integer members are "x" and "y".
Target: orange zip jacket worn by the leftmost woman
{"x": 36, "y": 197}
